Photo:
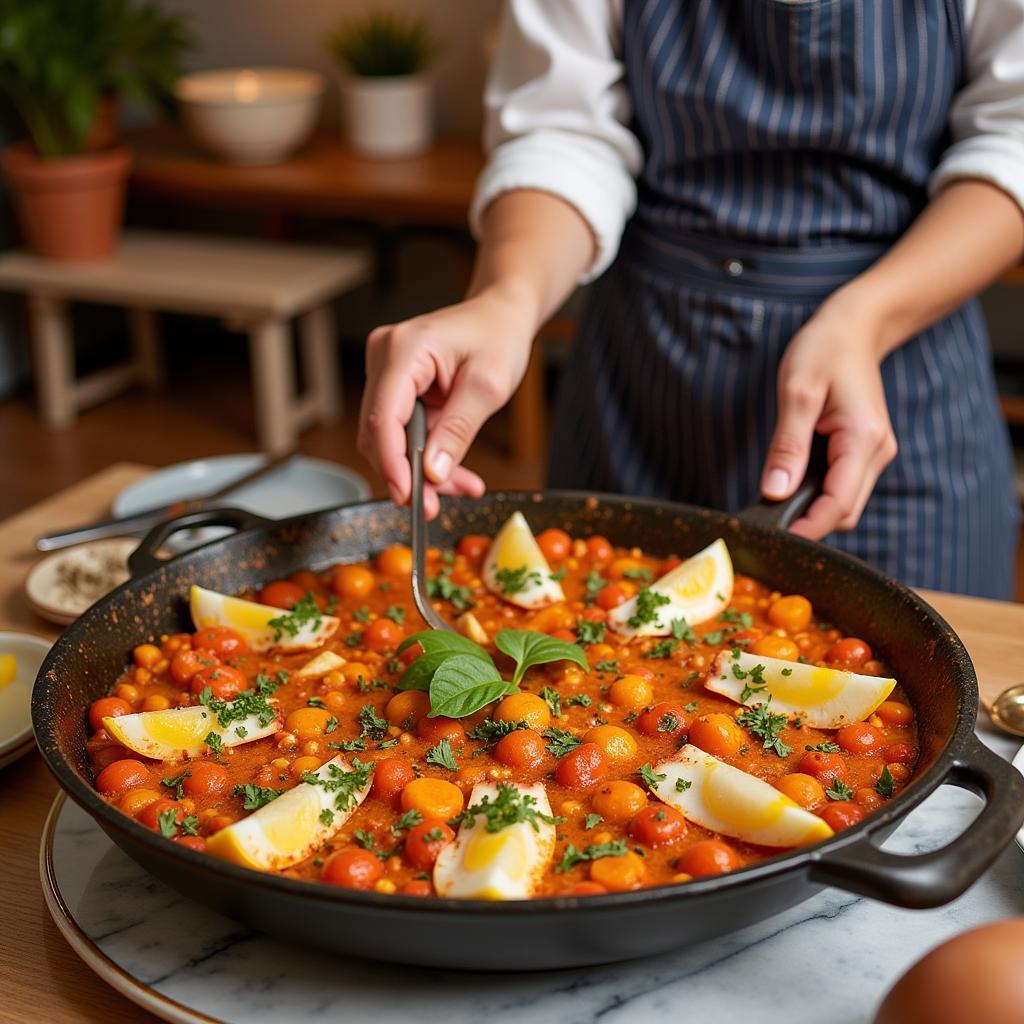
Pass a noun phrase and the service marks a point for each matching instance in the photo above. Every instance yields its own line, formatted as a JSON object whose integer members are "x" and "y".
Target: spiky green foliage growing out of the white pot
{"x": 383, "y": 44}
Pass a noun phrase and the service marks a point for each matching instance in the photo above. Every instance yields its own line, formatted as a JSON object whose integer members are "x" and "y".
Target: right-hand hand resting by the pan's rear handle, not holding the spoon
{"x": 830, "y": 383}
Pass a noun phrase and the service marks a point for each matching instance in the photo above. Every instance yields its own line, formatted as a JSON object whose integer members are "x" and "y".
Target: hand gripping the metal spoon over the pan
{"x": 465, "y": 362}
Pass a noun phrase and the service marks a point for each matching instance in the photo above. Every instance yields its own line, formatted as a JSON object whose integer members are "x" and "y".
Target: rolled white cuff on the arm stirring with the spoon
{"x": 585, "y": 173}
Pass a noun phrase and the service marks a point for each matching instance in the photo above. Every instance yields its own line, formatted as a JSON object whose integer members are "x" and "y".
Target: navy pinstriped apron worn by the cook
{"x": 787, "y": 147}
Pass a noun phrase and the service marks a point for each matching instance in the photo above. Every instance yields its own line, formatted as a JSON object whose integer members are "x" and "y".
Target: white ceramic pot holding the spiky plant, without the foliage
{"x": 389, "y": 117}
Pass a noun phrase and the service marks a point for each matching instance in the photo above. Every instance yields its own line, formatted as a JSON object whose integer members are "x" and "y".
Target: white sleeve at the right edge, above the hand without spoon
{"x": 988, "y": 115}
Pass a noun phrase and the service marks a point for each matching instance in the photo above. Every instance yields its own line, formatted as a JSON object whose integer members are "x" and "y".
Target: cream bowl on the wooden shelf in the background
{"x": 251, "y": 115}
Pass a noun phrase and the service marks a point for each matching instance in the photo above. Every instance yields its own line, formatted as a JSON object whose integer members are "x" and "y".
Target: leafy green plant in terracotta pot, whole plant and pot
{"x": 63, "y": 65}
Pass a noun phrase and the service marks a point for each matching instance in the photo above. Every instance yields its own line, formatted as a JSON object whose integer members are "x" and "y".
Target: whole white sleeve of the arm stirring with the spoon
{"x": 557, "y": 116}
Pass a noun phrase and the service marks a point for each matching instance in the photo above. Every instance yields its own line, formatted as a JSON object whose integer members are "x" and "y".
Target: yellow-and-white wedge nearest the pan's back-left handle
{"x": 265, "y": 628}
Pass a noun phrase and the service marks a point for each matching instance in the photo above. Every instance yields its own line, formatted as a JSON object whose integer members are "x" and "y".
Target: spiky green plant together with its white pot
{"x": 387, "y": 93}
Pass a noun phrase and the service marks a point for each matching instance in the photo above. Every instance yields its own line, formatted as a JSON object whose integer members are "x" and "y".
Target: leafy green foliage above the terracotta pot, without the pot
{"x": 60, "y": 58}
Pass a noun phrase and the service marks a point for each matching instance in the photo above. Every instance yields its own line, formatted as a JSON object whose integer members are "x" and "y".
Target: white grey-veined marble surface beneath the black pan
{"x": 836, "y": 948}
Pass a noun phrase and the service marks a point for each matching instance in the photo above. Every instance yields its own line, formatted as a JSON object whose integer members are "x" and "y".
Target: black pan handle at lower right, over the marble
{"x": 928, "y": 880}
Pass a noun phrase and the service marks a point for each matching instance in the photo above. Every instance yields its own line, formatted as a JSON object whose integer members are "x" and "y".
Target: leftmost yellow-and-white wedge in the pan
{"x": 179, "y": 733}
